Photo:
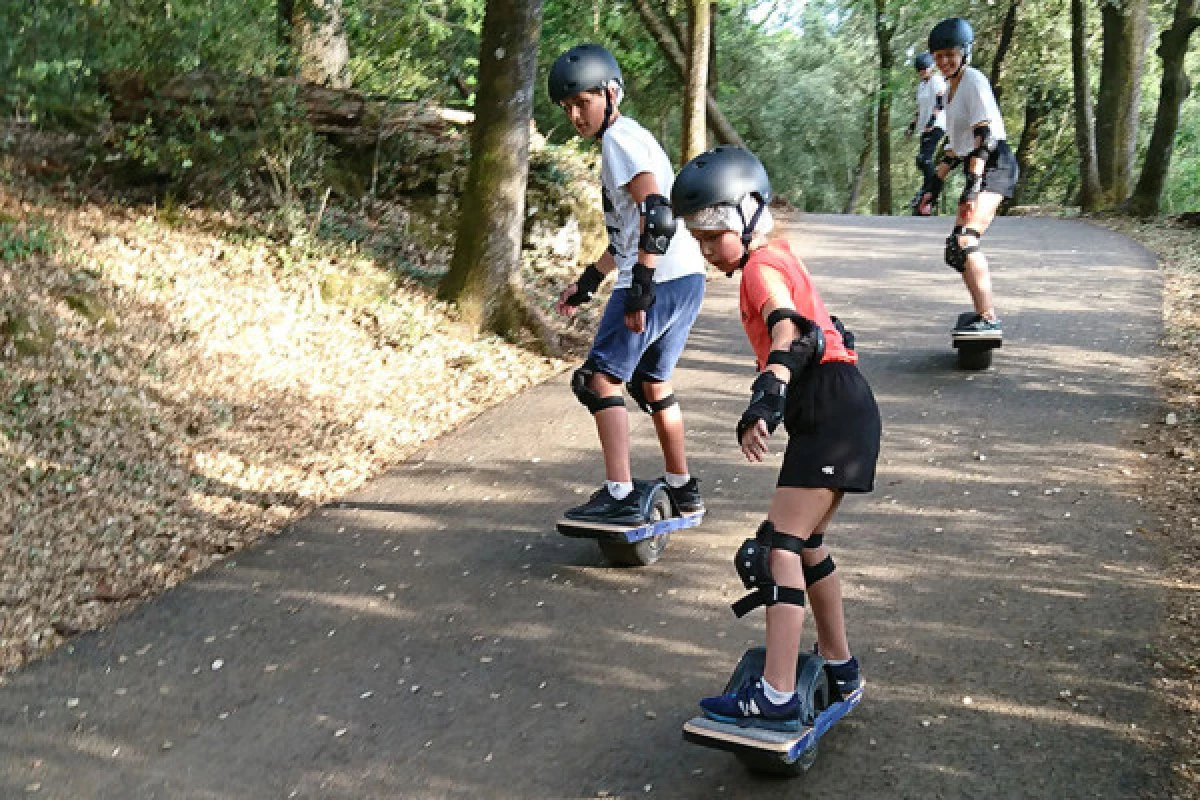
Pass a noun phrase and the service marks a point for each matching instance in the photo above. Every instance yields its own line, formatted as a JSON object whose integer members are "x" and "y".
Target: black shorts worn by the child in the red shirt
{"x": 835, "y": 429}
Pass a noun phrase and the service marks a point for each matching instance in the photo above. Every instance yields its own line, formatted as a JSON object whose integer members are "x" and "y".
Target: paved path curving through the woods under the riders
{"x": 433, "y": 637}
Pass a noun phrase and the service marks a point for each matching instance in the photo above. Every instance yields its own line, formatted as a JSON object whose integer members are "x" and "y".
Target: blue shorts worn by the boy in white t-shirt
{"x": 619, "y": 352}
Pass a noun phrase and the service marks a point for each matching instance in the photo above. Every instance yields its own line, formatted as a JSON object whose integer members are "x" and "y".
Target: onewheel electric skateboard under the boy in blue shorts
{"x": 637, "y": 545}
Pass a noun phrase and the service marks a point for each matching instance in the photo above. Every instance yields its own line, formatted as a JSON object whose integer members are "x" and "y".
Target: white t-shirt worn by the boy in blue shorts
{"x": 627, "y": 151}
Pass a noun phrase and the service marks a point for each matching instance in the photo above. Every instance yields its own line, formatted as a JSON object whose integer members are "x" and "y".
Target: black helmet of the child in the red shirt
{"x": 724, "y": 176}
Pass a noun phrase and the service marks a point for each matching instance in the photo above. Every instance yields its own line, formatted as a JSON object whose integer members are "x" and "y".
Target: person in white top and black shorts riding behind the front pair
{"x": 977, "y": 141}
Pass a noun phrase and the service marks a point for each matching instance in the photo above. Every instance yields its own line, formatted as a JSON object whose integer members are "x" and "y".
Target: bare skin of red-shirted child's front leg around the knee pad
{"x": 796, "y": 512}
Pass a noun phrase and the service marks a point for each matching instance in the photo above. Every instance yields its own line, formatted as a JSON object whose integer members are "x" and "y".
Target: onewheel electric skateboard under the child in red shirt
{"x": 770, "y": 751}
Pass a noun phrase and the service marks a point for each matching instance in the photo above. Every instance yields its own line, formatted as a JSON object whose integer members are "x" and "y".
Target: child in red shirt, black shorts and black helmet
{"x": 809, "y": 382}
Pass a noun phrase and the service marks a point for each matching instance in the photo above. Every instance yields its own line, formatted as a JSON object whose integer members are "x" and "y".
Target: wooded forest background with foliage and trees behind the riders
{"x": 820, "y": 89}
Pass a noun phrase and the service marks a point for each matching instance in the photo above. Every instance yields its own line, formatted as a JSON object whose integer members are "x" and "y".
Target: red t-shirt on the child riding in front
{"x": 769, "y": 267}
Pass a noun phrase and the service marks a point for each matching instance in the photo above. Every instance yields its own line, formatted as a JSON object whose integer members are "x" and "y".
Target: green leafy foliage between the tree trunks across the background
{"x": 796, "y": 80}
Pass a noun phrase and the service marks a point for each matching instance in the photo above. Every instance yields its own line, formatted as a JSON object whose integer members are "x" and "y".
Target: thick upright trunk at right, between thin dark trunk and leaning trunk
{"x": 1117, "y": 107}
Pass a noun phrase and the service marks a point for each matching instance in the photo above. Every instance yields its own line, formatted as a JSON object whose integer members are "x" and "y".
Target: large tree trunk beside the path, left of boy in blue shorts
{"x": 485, "y": 274}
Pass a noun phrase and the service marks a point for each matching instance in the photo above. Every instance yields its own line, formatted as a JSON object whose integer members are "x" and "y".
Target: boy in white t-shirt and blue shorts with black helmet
{"x": 659, "y": 290}
